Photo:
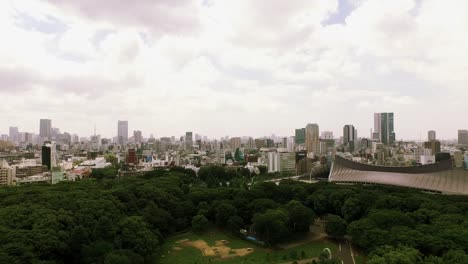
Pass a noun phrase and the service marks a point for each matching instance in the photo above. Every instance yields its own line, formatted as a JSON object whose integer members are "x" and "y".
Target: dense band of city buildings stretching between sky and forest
{"x": 52, "y": 156}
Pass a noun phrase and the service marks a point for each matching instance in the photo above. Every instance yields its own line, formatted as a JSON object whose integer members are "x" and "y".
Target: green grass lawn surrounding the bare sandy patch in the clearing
{"x": 189, "y": 255}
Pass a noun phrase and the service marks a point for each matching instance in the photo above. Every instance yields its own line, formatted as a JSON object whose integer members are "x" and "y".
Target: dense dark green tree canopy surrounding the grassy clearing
{"x": 109, "y": 220}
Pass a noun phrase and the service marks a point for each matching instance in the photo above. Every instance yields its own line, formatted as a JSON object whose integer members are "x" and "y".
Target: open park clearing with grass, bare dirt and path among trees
{"x": 217, "y": 246}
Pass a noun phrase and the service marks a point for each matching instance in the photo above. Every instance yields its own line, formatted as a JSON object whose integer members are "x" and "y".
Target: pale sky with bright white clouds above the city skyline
{"x": 237, "y": 68}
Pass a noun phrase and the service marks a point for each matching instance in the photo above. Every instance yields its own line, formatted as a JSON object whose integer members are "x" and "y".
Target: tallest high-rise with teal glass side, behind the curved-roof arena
{"x": 384, "y": 130}
